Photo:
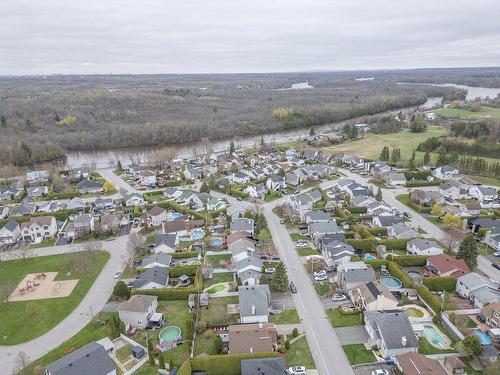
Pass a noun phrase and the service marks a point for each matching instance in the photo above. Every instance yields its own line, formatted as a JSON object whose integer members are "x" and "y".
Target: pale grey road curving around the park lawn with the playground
{"x": 93, "y": 302}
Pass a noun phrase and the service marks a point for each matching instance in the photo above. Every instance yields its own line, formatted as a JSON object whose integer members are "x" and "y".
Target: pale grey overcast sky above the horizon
{"x": 200, "y": 36}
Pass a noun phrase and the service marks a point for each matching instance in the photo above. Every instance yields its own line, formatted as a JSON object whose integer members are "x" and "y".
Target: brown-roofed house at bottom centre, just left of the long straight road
{"x": 253, "y": 338}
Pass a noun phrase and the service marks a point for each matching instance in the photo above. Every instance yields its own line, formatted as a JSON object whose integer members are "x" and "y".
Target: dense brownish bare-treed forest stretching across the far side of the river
{"x": 42, "y": 117}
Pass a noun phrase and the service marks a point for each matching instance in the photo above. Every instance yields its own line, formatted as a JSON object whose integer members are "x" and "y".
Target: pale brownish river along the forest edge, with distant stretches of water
{"x": 107, "y": 158}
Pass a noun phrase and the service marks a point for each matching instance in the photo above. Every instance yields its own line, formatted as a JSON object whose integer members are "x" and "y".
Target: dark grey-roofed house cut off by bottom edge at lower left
{"x": 89, "y": 359}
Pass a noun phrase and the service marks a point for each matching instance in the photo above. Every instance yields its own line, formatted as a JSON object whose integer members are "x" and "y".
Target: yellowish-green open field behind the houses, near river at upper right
{"x": 371, "y": 145}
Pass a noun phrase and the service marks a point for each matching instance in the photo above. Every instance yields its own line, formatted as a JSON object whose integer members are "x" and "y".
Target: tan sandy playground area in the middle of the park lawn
{"x": 42, "y": 285}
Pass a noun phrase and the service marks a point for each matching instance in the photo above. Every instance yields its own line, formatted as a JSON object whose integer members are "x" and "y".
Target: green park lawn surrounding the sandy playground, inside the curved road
{"x": 42, "y": 315}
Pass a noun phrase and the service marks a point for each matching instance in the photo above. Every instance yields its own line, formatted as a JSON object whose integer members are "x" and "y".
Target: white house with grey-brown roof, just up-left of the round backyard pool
{"x": 138, "y": 310}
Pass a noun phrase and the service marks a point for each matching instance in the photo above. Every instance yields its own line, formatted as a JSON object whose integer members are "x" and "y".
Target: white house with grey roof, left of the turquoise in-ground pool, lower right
{"x": 391, "y": 331}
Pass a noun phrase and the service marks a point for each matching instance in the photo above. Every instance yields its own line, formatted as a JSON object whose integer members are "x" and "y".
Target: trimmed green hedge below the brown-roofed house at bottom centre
{"x": 229, "y": 364}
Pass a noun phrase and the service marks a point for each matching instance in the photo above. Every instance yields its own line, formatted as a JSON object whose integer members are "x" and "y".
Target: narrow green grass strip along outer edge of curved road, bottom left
{"x": 95, "y": 330}
